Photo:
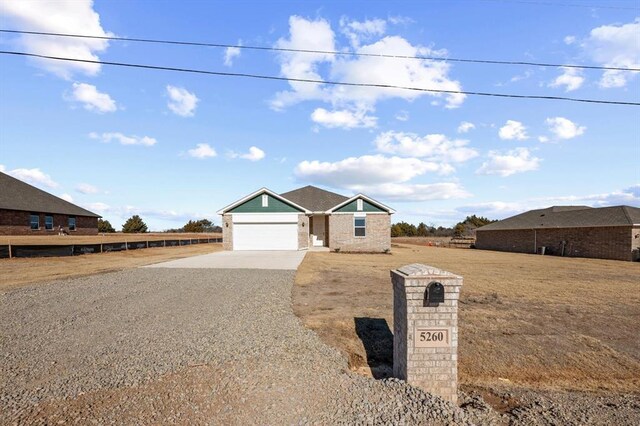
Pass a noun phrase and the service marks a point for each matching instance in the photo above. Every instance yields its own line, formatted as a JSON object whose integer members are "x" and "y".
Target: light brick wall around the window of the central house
{"x": 377, "y": 233}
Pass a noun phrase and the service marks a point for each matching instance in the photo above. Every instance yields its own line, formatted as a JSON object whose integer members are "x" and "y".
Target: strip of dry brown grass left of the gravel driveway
{"x": 18, "y": 272}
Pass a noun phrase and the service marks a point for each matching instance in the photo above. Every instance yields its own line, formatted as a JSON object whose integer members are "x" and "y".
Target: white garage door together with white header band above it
{"x": 275, "y": 231}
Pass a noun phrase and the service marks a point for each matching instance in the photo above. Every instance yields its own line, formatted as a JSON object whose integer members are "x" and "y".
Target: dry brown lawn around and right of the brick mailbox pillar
{"x": 525, "y": 320}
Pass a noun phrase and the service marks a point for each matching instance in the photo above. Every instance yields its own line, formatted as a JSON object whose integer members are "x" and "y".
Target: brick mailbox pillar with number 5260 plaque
{"x": 425, "y": 328}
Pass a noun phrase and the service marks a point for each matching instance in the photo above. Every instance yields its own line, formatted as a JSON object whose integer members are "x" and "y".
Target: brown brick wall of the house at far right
{"x": 615, "y": 242}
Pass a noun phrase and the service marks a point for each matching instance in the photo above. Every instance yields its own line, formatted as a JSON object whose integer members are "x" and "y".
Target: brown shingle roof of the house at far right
{"x": 568, "y": 217}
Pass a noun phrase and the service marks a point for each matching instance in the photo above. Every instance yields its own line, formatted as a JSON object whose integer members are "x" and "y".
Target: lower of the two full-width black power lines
{"x": 305, "y": 80}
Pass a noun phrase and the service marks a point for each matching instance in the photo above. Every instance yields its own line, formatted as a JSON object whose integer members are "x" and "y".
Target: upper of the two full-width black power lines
{"x": 323, "y": 52}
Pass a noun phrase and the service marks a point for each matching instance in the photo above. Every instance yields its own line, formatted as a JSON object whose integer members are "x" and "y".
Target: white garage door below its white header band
{"x": 265, "y": 236}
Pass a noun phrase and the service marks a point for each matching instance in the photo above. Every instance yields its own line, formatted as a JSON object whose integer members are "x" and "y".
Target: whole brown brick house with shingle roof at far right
{"x": 575, "y": 231}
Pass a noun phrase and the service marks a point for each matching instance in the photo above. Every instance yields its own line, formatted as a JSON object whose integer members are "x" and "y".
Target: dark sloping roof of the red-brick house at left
{"x": 17, "y": 195}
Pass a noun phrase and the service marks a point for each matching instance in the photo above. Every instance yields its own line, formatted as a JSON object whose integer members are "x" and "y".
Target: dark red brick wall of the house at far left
{"x": 15, "y": 222}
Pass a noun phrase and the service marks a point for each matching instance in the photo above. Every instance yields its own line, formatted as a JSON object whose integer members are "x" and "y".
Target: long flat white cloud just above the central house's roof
{"x": 367, "y": 170}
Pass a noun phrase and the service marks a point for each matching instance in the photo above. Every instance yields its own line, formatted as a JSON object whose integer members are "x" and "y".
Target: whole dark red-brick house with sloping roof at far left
{"x": 27, "y": 210}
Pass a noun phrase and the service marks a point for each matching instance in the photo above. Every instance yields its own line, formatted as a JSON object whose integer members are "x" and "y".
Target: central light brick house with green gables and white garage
{"x": 306, "y": 217}
